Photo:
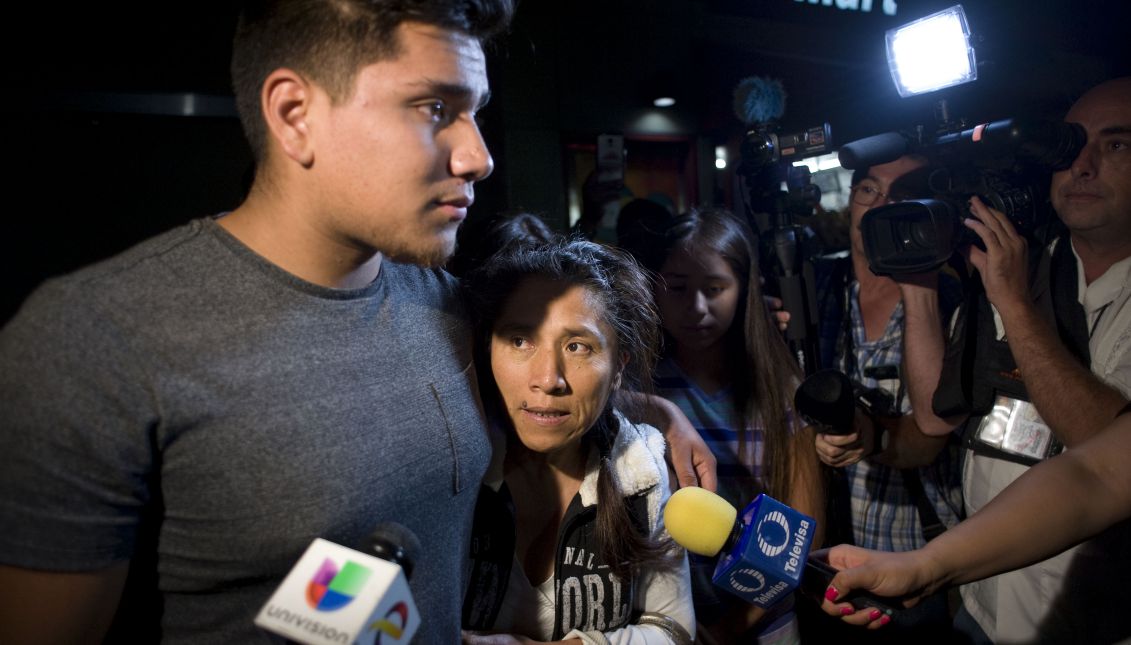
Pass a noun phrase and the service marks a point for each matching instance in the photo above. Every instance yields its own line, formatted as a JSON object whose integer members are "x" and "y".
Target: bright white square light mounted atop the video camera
{"x": 931, "y": 54}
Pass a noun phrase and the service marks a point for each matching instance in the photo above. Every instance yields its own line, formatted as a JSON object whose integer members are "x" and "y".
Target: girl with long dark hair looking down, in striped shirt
{"x": 727, "y": 366}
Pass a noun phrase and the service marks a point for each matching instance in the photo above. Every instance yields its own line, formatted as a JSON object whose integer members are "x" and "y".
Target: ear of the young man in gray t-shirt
{"x": 287, "y": 100}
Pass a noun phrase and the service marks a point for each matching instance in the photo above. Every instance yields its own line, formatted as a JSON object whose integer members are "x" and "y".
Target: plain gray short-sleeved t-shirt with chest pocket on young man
{"x": 192, "y": 408}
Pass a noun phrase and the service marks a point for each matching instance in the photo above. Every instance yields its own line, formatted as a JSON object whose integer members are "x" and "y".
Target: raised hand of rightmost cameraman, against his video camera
{"x": 1004, "y": 265}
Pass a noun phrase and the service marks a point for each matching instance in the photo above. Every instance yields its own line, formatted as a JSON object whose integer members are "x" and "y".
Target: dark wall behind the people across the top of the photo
{"x": 120, "y": 126}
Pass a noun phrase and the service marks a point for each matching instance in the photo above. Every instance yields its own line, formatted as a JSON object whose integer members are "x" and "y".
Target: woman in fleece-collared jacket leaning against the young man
{"x": 569, "y": 541}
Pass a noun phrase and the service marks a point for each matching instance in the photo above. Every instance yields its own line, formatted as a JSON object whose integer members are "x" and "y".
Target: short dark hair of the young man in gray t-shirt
{"x": 330, "y": 41}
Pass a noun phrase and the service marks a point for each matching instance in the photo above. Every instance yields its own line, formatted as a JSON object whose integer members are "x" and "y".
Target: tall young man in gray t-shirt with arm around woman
{"x": 183, "y": 420}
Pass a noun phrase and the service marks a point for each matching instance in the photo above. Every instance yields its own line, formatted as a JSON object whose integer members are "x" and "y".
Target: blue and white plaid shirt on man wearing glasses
{"x": 885, "y": 517}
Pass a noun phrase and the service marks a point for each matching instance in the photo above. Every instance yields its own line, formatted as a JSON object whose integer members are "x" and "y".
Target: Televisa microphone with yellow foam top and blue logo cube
{"x": 763, "y": 554}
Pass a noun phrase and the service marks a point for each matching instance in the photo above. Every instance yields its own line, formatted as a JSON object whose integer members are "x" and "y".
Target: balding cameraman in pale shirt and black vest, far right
{"x": 1069, "y": 338}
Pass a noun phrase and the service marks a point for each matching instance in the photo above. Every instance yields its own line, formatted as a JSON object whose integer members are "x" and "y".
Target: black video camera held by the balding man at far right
{"x": 1006, "y": 164}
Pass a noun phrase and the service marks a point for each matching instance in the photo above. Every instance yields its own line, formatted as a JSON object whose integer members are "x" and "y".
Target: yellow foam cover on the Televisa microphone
{"x": 700, "y": 521}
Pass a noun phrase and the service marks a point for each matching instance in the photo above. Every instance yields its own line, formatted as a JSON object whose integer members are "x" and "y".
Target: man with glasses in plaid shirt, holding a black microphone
{"x": 903, "y": 486}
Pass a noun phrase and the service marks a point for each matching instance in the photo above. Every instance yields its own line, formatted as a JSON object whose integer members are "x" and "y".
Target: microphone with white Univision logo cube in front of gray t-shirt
{"x": 339, "y": 596}
